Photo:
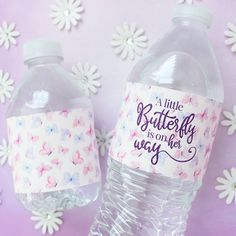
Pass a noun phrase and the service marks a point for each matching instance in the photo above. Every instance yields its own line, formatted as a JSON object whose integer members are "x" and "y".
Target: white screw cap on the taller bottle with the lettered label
{"x": 193, "y": 12}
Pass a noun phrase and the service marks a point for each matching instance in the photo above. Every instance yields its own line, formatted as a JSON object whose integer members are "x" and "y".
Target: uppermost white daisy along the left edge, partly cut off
{"x": 8, "y": 34}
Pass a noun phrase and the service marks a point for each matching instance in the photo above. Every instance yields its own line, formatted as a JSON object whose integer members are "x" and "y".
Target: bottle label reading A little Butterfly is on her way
{"x": 165, "y": 131}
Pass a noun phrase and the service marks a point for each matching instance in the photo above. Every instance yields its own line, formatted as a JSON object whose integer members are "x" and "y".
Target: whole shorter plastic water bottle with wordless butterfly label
{"x": 50, "y": 122}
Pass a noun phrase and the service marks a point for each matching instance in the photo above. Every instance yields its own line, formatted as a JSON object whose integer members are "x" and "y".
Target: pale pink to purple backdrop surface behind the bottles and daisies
{"x": 91, "y": 42}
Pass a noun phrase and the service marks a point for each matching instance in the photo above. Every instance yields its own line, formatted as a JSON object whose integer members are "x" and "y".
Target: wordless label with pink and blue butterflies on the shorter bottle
{"x": 53, "y": 151}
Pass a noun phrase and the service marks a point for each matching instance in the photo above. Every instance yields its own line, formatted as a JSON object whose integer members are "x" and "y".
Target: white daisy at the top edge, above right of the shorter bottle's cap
{"x": 66, "y": 13}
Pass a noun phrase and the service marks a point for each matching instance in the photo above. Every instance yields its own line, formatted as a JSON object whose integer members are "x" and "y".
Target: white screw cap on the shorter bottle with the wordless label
{"x": 41, "y": 48}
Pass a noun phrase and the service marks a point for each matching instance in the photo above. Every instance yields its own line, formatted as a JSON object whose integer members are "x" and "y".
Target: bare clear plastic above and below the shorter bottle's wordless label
{"x": 47, "y": 87}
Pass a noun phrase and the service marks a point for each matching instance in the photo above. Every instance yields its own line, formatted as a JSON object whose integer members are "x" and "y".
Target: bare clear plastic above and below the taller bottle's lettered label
{"x": 147, "y": 204}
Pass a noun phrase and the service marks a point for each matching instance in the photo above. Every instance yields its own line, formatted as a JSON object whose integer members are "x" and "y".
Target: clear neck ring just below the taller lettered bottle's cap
{"x": 189, "y": 22}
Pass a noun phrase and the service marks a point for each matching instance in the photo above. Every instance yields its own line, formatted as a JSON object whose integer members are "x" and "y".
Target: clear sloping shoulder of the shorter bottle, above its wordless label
{"x": 46, "y": 88}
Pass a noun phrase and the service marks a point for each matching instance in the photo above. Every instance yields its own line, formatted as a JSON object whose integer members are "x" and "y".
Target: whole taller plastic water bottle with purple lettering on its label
{"x": 164, "y": 134}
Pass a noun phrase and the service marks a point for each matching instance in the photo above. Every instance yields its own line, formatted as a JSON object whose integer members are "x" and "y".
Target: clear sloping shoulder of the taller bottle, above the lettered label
{"x": 184, "y": 60}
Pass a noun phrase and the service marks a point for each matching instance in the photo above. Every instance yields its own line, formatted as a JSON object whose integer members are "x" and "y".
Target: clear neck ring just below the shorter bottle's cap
{"x": 39, "y": 61}
